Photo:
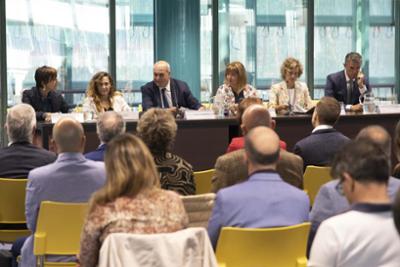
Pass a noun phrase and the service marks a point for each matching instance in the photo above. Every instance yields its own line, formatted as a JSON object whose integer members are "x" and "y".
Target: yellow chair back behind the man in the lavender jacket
{"x": 58, "y": 231}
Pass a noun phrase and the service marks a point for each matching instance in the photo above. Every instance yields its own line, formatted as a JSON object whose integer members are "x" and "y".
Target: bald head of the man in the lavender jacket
{"x": 68, "y": 135}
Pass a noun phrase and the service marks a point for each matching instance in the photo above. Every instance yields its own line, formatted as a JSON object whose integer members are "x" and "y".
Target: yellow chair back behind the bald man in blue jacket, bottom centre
{"x": 264, "y": 247}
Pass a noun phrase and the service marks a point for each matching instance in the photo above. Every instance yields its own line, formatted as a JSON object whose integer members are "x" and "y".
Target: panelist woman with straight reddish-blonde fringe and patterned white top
{"x": 235, "y": 87}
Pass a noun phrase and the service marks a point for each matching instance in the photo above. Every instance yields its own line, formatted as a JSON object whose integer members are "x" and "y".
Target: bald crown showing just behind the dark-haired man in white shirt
{"x": 377, "y": 135}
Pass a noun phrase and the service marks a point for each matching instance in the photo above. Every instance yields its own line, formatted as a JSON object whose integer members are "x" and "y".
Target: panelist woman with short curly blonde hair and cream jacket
{"x": 290, "y": 94}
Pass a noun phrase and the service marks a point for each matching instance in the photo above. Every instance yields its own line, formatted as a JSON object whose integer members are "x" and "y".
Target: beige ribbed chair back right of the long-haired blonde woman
{"x": 199, "y": 208}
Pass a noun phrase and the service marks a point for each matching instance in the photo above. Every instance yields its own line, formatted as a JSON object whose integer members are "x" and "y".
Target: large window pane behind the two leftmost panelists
{"x": 57, "y": 33}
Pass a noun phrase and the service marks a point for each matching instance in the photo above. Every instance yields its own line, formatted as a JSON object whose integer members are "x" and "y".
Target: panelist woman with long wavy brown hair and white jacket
{"x": 102, "y": 96}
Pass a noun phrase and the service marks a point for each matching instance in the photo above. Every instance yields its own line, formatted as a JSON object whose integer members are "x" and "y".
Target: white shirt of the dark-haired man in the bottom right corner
{"x": 355, "y": 239}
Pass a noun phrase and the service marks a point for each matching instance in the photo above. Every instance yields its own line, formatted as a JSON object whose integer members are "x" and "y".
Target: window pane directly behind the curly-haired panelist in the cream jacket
{"x": 281, "y": 33}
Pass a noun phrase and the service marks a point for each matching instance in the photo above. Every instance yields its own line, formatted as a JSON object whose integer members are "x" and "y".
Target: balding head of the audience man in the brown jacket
{"x": 254, "y": 116}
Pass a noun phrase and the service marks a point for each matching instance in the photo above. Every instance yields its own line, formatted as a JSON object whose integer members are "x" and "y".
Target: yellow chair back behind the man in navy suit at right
{"x": 314, "y": 177}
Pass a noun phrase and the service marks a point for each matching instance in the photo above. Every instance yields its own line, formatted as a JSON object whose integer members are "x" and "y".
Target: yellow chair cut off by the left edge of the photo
{"x": 12, "y": 208}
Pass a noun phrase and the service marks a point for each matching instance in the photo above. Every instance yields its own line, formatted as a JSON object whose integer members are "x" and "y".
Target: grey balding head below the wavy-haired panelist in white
{"x": 109, "y": 125}
